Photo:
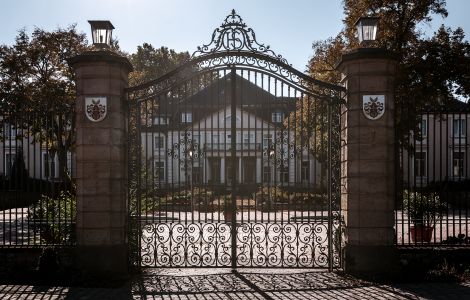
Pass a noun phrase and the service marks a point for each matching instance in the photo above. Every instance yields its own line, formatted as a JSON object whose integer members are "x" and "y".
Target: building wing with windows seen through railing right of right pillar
{"x": 440, "y": 150}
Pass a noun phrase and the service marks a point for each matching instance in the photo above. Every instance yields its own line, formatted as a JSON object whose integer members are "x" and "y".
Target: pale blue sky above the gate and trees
{"x": 288, "y": 26}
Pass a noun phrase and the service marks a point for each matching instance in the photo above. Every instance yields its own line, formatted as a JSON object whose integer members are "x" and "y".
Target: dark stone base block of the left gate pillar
{"x": 104, "y": 261}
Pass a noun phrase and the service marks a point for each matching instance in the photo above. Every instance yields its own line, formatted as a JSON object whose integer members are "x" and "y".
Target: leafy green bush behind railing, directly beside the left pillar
{"x": 55, "y": 218}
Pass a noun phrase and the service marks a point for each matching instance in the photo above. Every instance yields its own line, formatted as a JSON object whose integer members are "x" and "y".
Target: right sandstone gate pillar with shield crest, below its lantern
{"x": 368, "y": 159}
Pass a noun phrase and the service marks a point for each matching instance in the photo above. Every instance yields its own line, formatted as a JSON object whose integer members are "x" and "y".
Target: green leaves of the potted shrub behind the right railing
{"x": 423, "y": 207}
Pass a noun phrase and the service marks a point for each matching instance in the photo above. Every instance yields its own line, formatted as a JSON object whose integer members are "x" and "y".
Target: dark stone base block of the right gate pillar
{"x": 371, "y": 261}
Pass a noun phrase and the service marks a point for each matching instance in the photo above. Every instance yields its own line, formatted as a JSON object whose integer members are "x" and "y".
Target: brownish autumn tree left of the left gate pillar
{"x": 37, "y": 88}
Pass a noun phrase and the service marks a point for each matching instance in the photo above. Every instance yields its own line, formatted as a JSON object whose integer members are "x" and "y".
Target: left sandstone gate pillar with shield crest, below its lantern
{"x": 101, "y": 161}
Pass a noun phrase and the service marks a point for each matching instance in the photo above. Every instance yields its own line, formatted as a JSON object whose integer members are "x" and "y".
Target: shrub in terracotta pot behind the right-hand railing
{"x": 423, "y": 210}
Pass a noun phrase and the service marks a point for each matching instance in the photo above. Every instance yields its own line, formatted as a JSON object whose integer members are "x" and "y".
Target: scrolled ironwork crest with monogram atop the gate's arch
{"x": 233, "y": 35}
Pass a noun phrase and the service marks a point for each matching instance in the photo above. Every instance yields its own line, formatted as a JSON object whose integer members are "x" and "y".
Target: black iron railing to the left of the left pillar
{"x": 37, "y": 198}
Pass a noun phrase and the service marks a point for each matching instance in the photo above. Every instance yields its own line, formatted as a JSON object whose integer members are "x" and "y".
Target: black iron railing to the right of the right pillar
{"x": 433, "y": 198}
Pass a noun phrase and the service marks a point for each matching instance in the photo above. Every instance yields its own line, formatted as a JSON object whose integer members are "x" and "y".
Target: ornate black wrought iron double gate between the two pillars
{"x": 234, "y": 161}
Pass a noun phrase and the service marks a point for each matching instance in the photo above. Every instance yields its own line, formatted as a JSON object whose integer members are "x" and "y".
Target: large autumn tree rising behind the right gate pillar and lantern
{"x": 430, "y": 69}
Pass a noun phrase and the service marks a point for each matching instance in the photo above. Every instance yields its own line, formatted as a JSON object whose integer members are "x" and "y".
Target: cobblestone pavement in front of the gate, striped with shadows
{"x": 245, "y": 284}
